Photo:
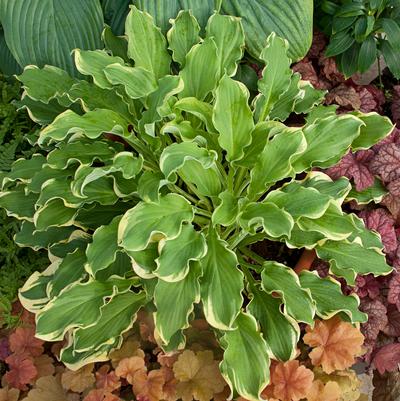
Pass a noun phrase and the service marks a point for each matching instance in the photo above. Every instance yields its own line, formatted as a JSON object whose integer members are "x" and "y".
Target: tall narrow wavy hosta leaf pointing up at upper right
{"x": 276, "y": 75}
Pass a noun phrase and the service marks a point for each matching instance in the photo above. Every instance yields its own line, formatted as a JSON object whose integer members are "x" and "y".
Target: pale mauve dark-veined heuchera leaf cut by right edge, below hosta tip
{"x": 386, "y": 162}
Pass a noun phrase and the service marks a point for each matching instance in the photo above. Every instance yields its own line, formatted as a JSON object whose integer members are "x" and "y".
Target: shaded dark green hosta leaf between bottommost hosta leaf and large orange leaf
{"x": 267, "y": 310}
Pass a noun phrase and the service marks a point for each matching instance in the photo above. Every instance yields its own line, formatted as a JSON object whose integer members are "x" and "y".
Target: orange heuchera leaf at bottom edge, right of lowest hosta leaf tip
{"x": 291, "y": 381}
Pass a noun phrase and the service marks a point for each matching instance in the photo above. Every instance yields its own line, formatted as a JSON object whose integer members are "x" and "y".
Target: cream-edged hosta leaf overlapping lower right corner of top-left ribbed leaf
{"x": 93, "y": 63}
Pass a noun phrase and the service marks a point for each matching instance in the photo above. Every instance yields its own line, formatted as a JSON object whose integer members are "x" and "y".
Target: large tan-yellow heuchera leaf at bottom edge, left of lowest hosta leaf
{"x": 198, "y": 376}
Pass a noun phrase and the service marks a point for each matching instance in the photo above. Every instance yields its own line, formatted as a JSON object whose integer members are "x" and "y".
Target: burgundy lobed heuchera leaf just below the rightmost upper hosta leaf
{"x": 354, "y": 166}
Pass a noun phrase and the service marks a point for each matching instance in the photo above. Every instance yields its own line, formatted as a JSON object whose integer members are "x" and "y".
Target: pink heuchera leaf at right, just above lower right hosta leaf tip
{"x": 382, "y": 222}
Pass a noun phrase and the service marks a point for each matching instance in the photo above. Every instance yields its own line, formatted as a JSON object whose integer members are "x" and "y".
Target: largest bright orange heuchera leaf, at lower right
{"x": 335, "y": 343}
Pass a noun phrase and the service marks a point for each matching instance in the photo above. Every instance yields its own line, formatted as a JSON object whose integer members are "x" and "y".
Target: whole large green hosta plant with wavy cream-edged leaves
{"x": 161, "y": 177}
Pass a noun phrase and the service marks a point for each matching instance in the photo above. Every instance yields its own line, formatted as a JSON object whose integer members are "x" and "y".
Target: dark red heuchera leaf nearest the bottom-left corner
{"x": 22, "y": 371}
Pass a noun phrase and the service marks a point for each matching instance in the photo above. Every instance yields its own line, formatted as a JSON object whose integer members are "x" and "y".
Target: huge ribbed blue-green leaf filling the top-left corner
{"x": 43, "y": 32}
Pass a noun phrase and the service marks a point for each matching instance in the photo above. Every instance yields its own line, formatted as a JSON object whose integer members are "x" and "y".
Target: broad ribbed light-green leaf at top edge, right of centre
{"x": 290, "y": 19}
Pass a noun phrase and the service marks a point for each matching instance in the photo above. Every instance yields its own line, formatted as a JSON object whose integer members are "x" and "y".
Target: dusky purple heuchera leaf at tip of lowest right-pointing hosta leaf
{"x": 377, "y": 318}
